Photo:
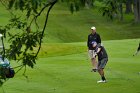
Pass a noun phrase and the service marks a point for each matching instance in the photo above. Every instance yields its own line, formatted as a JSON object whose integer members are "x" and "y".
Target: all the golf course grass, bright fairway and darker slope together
{"x": 63, "y": 65}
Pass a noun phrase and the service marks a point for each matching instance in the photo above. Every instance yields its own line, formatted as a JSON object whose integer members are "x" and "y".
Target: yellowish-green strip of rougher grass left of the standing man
{"x": 60, "y": 49}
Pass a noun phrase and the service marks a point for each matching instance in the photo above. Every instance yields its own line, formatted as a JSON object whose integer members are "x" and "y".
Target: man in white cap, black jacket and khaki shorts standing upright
{"x": 93, "y": 37}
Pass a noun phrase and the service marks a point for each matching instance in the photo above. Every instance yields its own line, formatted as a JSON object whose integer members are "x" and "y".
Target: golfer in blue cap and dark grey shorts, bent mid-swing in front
{"x": 102, "y": 60}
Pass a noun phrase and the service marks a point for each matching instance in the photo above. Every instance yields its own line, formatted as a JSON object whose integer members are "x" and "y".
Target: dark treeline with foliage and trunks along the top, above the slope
{"x": 110, "y": 8}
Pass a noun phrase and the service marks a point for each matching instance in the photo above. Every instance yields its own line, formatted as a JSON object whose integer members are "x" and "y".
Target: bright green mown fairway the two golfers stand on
{"x": 71, "y": 73}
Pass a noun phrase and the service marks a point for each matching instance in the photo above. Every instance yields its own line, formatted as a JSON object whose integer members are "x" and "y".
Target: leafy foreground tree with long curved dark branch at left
{"x": 25, "y": 41}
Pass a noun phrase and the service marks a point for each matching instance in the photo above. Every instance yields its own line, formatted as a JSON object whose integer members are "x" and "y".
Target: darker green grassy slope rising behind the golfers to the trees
{"x": 66, "y": 27}
